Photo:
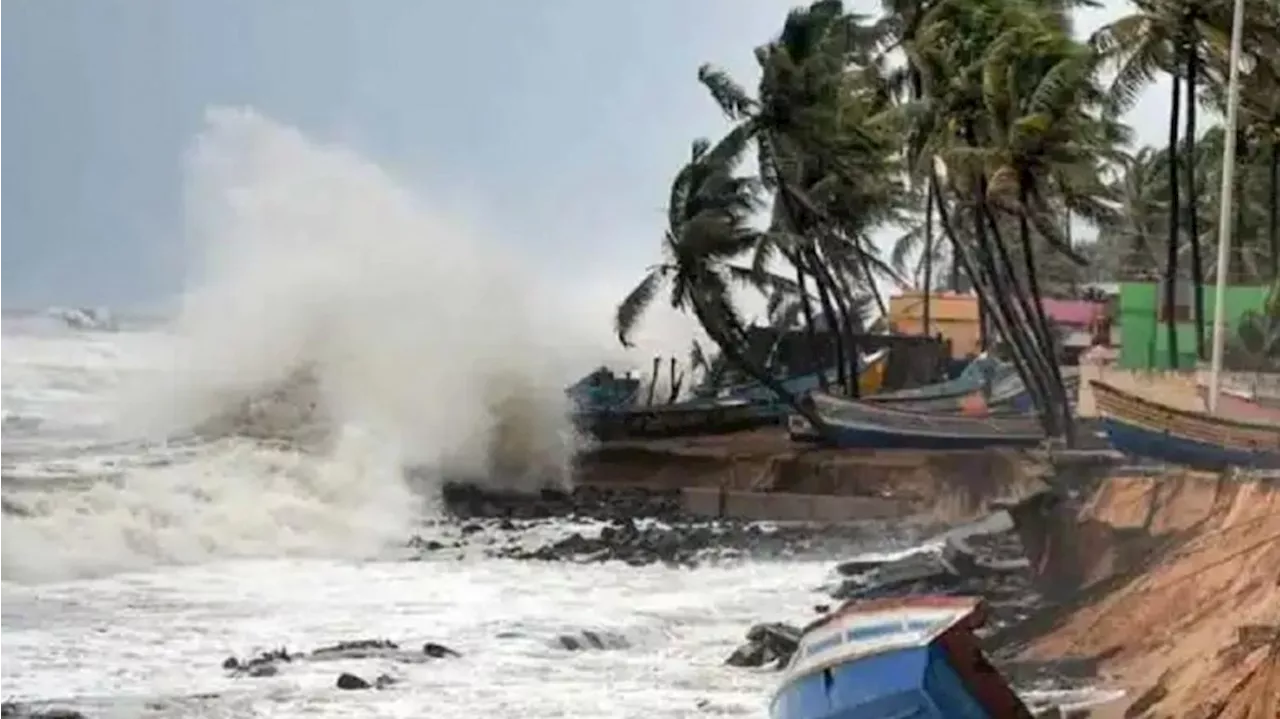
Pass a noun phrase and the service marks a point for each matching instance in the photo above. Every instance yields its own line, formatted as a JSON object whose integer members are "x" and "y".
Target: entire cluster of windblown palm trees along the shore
{"x": 981, "y": 132}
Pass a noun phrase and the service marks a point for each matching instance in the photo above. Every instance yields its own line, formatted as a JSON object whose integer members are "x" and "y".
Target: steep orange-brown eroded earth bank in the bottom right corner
{"x": 1172, "y": 583}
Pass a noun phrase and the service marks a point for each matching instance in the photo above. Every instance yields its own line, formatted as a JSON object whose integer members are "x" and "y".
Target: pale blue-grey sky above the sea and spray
{"x": 559, "y": 121}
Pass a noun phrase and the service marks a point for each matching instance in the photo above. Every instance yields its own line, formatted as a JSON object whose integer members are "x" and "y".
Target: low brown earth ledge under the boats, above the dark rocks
{"x": 765, "y": 477}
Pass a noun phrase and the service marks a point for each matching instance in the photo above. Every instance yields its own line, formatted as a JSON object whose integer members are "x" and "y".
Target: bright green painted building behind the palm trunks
{"x": 1144, "y": 336}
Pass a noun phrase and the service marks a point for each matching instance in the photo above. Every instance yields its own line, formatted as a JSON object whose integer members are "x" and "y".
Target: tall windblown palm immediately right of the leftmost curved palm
{"x": 825, "y": 155}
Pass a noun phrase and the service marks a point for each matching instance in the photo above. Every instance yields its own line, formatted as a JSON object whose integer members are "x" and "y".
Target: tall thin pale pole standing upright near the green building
{"x": 1226, "y": 214}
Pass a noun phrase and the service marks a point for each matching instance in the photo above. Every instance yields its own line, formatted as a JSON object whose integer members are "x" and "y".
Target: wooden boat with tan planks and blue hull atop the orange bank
{"x": 1145, "y": 428}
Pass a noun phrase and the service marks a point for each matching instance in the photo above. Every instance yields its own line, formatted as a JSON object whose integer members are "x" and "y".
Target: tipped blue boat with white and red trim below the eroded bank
{"x": 897, "y": 658}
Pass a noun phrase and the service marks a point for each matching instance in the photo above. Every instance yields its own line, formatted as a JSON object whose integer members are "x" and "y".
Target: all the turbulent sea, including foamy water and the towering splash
{"x": 231, "y": 479}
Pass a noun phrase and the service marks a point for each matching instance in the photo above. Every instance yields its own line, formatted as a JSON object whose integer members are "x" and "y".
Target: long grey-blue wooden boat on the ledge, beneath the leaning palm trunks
{"x": 863, "y": 425}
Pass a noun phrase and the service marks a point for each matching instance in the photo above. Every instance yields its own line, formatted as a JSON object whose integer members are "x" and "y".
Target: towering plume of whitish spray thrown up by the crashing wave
{"x": 309, "y": 258}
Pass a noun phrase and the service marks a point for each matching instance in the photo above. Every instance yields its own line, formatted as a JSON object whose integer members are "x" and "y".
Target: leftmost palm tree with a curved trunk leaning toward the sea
{"x": 708, "y": 217}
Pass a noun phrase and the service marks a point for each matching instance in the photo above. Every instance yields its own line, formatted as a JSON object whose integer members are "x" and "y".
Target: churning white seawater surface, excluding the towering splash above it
{"x": 134, "y": 575}
